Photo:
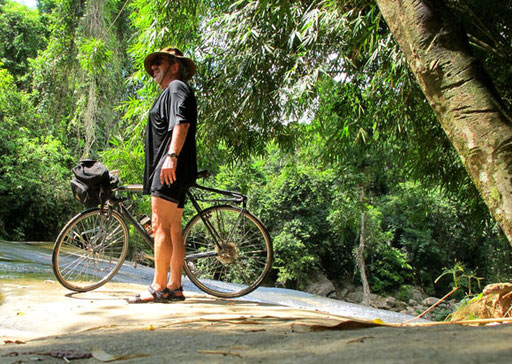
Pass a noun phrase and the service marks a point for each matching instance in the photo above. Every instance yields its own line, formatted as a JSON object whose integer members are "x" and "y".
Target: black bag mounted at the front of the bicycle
{"x": 92, "y": 183}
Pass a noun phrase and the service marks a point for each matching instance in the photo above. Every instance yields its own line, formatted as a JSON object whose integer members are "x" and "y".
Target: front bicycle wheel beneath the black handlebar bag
{"x": 90, "y": 250}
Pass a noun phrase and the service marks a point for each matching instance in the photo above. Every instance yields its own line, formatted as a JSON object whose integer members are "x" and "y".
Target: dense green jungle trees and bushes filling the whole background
{"x": 310, "y": 107}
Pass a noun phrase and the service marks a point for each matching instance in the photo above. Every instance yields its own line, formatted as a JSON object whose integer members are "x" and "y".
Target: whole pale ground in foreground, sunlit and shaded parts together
{"x": 42, "y": 322}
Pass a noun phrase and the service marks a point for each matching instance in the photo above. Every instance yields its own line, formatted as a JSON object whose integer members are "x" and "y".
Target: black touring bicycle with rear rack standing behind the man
{"x": 228, "y": 250}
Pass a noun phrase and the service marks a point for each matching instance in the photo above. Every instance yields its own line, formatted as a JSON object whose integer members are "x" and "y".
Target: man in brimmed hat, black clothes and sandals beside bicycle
{"x": 170, "y": 168}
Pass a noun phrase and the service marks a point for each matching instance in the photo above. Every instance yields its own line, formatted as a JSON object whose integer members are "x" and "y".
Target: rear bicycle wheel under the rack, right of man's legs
{"x": 228, "y": 251}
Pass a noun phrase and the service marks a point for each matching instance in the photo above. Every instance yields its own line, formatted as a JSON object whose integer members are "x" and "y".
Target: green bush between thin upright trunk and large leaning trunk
{"x": 434, "y": 231}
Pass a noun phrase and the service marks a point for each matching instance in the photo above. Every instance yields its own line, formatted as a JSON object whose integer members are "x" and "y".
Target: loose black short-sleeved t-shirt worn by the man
{"x": 175, "y": 105}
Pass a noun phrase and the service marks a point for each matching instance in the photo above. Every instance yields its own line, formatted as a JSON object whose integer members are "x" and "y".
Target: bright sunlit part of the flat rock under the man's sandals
{"x": 33, "y": 309}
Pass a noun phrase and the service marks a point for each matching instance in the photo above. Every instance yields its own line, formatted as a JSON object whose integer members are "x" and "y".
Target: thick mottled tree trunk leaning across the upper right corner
{"x": 461, "y": 94}
